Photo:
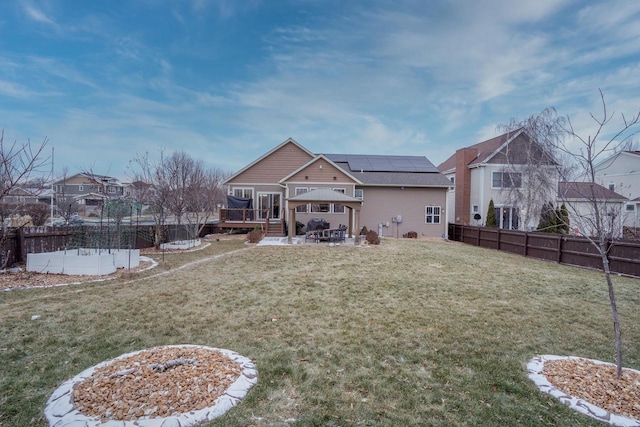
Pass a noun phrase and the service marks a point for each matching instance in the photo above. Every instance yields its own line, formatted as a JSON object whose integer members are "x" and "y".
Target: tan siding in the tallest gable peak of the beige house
{"x": 275, "y": 166}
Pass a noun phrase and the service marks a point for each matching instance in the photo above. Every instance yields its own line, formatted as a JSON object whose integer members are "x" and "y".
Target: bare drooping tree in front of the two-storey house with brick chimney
{"x": 532, "y": 160}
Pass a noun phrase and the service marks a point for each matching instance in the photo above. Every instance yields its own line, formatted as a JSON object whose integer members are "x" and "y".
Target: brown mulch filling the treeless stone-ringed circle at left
{"x": 156, "y": 383}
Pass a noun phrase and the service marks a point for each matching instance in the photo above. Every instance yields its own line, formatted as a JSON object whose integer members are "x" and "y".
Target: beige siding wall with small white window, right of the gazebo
{"x": 381, "y": 204}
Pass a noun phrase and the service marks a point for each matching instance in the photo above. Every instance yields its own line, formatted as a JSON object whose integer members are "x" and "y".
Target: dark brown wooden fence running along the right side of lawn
{"x": 624, "y": 257}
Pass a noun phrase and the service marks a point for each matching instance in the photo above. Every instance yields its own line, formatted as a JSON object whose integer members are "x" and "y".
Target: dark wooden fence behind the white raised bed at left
{"x": 27, "y": 240}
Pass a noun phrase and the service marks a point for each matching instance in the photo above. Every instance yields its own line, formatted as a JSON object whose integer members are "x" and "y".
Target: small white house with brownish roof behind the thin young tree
{"x": 583, "y": 198}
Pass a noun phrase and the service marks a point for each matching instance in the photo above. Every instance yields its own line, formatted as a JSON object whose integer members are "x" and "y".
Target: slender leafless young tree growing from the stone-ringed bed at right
{"x": 598, "y": 221}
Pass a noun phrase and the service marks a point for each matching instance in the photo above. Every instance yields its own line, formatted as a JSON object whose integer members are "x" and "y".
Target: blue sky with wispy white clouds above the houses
{"x": 228, "y": 80}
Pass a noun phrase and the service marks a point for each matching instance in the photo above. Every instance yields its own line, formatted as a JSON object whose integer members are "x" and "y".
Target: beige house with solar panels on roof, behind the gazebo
{"x": 389, "y": 194}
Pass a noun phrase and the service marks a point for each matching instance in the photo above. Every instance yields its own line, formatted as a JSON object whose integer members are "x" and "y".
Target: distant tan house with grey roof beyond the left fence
{"x": 89, "y": 190}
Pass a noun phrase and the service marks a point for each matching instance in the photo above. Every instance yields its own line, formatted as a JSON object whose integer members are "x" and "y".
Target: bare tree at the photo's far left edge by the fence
{"x": 18, "y": 162}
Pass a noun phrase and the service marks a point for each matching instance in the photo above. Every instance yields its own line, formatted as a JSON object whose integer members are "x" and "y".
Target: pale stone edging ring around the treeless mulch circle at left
{"x": 60, "y": 410}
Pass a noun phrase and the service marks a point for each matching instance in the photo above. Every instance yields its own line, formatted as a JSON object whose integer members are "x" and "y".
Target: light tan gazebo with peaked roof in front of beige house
{"x": 324, "y": 195}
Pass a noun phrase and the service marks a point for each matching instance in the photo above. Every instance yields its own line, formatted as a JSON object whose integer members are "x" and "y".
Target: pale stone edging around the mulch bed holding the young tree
{"x": 535, "y": 369}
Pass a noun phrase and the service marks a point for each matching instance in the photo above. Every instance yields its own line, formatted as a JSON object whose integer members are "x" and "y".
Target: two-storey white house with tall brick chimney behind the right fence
{"x": 507, "y": 169}
